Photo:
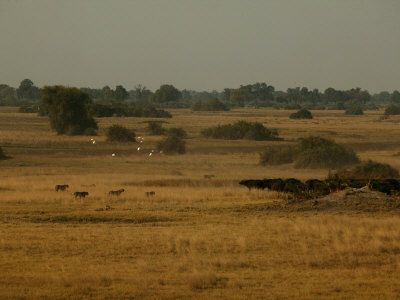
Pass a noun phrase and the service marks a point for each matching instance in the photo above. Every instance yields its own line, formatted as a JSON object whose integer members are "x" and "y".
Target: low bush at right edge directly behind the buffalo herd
{"x": 370, "y": 170}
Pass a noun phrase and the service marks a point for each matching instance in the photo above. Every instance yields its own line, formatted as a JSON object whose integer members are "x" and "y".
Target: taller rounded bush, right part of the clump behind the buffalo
{"x": 317, "y": 152}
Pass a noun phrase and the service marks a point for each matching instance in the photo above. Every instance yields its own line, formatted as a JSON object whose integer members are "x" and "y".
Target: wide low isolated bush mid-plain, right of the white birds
{"x": 241, "y": 130}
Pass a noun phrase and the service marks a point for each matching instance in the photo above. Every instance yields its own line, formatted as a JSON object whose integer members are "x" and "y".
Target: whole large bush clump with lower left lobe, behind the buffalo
{"x": 311, "y": 152}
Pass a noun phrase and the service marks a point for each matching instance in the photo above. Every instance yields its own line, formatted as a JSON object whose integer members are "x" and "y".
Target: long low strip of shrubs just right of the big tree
{"x": 124, "y": 110}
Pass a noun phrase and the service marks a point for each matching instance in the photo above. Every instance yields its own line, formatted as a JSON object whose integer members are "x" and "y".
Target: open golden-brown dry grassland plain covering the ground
{"x": 196, "y": 237}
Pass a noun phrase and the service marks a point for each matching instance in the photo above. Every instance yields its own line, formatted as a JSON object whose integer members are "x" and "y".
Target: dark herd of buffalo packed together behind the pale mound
{"x": 315, "y": 188}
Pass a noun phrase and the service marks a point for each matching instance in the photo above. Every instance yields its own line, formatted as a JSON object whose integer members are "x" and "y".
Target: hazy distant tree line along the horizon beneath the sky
{"x": 251, "y": 95}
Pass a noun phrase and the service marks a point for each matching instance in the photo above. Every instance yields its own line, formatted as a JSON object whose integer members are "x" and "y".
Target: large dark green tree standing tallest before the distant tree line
{"x": 68, "y": 109}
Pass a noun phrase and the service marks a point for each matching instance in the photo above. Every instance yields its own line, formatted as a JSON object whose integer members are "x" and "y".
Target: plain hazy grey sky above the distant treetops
{"x": 201, "y": 44}
